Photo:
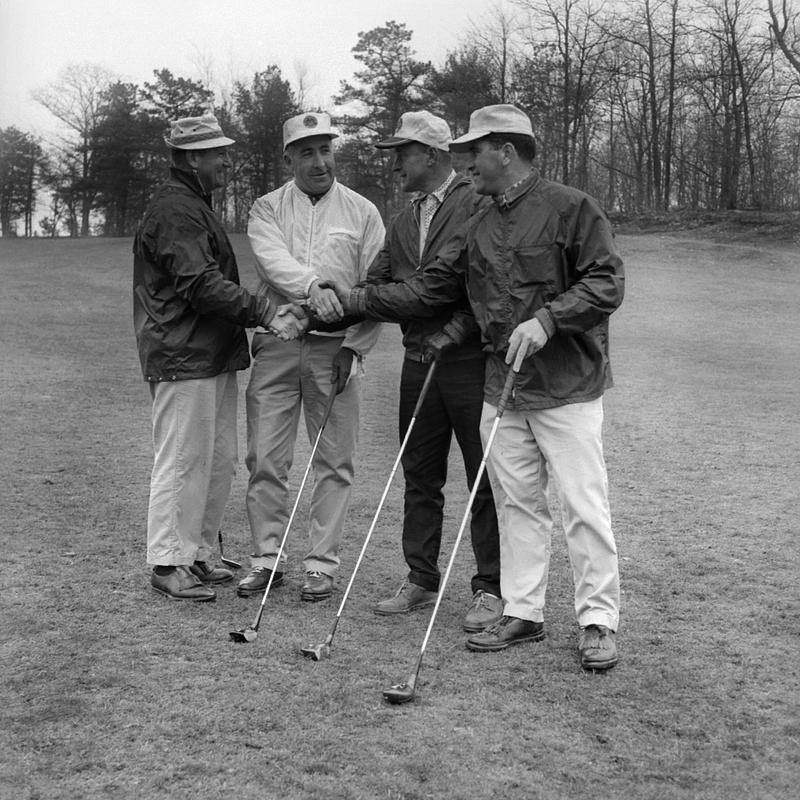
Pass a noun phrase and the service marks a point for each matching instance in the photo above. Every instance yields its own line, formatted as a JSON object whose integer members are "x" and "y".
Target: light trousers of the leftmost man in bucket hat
{"x": 195, "y": 447}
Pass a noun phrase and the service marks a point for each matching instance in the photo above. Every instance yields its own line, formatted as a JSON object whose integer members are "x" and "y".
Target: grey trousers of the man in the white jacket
{"x": 286, "y": 377}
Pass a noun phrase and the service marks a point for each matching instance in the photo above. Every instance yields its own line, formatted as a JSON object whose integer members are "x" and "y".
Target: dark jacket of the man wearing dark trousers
{"x": 400, "y": 258}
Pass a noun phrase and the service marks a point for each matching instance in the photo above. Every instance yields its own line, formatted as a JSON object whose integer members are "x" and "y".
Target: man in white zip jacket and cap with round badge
{"x": 310, "y": 230}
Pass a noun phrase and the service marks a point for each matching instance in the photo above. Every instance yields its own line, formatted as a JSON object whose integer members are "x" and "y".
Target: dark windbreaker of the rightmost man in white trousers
{"x": 542, "y": 250}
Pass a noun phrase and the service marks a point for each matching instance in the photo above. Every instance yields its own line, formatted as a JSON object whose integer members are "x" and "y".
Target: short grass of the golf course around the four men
{"x": 110, "y": 691}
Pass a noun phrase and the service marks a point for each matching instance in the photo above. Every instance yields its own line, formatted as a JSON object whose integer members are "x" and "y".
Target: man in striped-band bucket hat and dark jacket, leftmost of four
{"x": 189, "y": 314}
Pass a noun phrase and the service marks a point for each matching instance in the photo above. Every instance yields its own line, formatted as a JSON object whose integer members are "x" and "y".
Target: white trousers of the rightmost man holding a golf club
{"x": 530, "y": 447}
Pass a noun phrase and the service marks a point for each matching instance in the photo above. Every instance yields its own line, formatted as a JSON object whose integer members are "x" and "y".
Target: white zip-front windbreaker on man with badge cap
{"x": 296, "y": 242}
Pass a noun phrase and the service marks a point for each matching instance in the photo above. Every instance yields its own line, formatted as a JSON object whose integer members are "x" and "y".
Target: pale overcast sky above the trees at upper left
{"x": 232, "y": 38}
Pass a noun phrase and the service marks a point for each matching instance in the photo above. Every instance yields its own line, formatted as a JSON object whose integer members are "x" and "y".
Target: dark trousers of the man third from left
{"x": 452, "y": 406}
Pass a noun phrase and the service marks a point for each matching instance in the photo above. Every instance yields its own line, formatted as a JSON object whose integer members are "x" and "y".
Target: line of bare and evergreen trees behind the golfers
{"x": 649, "y": 105}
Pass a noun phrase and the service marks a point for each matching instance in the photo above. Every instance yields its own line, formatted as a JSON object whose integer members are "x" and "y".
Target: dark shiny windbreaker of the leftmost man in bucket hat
{"x": 189, "y": 311}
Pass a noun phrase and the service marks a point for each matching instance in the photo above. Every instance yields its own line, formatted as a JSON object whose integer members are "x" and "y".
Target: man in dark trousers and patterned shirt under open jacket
{"x": 443, "y": 201}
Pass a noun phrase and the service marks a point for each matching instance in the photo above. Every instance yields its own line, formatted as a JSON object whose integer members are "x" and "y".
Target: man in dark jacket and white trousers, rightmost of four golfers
{"x": 543, "y": 276}
